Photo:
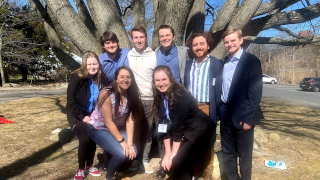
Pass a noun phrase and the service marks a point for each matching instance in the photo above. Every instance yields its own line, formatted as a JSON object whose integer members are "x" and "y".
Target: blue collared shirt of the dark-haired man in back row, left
{"x": 109, "y": 66}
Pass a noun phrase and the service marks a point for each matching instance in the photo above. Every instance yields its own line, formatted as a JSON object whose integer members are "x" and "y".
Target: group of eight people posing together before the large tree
{"x": 116, "y": 99}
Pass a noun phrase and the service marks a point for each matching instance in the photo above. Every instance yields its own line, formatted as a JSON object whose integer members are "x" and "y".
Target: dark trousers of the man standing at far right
{"x": 235, "y": 142}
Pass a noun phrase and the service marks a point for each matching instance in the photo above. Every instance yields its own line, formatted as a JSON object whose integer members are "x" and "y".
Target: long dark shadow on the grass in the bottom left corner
{"x": 18, "y": 167}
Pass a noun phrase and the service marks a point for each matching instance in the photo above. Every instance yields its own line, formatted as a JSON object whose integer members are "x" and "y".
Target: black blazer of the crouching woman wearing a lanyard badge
{"x": 187, "y": 119}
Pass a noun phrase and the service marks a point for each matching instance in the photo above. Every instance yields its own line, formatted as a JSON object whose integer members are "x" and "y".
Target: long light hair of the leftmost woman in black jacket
{"x": 100, "y": 78}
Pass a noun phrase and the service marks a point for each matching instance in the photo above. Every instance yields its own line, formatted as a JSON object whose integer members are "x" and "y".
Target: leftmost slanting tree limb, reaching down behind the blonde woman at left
{"x": 53, "y": 37}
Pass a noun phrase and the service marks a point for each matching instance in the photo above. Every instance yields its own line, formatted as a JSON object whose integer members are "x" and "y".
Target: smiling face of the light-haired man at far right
{"x": 232, "y": 43}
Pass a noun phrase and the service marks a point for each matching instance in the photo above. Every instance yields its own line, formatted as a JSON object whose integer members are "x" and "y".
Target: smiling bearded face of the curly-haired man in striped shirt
{"x": 200, "y": 47}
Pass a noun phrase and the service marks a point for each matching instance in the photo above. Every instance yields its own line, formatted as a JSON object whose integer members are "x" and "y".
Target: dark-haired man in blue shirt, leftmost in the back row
{"x": 113, "y": 56}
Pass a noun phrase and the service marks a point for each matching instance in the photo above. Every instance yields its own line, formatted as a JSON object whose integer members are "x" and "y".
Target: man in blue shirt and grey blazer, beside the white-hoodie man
{"x": 169, "y": 54}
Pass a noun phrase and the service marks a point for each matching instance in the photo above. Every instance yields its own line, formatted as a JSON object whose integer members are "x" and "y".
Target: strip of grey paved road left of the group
{"x": 6, "y": 96}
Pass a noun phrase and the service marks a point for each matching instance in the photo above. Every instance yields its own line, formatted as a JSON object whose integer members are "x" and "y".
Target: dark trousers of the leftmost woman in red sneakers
{"x": 87, "y": 147}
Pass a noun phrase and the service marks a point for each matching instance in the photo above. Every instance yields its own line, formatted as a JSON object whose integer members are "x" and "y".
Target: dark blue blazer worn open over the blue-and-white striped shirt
{"x": 214, "y": 71}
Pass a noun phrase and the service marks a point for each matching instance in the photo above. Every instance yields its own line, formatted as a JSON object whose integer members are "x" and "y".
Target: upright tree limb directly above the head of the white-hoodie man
{"x": 139, "y": 13}
